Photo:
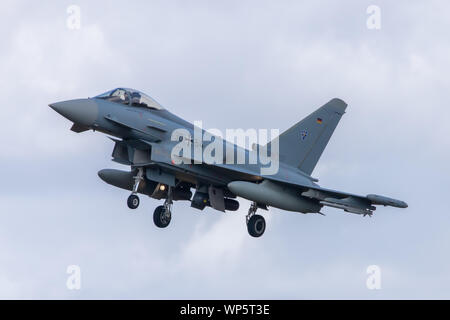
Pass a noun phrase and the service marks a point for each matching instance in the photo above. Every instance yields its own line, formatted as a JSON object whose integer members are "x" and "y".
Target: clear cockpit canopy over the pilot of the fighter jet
{"x": 132, "y": 97}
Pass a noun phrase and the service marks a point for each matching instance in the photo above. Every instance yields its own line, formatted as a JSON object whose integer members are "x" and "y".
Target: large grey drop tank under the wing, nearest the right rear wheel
{"x": 274, "y": 195}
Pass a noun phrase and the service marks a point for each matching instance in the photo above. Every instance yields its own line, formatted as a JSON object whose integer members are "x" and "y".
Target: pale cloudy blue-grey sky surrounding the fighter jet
{"x": 233, "y": 64}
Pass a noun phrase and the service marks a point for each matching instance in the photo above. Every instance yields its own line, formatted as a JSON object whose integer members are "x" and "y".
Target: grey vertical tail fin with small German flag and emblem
{"x": 302, "y": 145}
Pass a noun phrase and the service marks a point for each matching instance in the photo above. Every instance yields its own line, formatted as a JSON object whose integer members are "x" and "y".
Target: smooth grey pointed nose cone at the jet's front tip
{"x": 80, "y": 111}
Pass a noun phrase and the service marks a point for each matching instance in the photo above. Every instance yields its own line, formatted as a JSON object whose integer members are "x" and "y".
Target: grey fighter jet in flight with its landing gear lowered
{"x": 143, "y": 133}
